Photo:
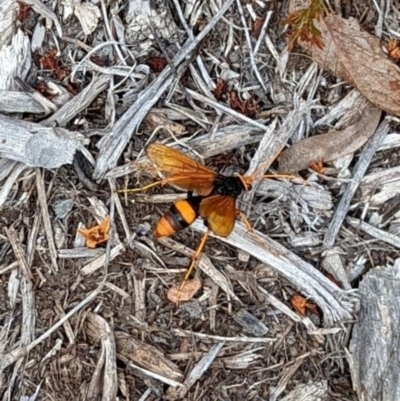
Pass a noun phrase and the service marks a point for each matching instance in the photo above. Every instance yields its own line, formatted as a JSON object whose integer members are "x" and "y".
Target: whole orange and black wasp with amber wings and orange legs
{"x": 211, "y": 195}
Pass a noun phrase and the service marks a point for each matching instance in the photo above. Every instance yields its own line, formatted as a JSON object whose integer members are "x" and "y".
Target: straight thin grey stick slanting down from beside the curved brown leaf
{"x": 359, "y": 171}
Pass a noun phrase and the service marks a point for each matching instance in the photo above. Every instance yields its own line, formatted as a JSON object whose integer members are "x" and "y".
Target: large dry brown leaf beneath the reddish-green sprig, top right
{"x": 356, "y": 56}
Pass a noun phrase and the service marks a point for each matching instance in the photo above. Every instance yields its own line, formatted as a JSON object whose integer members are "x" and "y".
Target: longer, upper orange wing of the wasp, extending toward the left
{"x": 180, "y": 170}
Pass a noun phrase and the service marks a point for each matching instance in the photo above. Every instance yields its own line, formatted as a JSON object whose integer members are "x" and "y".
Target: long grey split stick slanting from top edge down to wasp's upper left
{"x": 112, "y": 145}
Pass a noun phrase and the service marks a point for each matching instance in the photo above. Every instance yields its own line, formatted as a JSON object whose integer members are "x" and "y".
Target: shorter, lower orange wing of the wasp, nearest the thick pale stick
{"x": 220, "y": 212}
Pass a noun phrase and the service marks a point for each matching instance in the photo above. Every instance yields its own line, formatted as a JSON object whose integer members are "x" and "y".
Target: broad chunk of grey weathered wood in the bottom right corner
{"x": 373, "y": 357}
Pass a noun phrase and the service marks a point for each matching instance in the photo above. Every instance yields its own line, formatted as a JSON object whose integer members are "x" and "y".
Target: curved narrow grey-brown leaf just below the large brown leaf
{"x": 349, "y": 135}
